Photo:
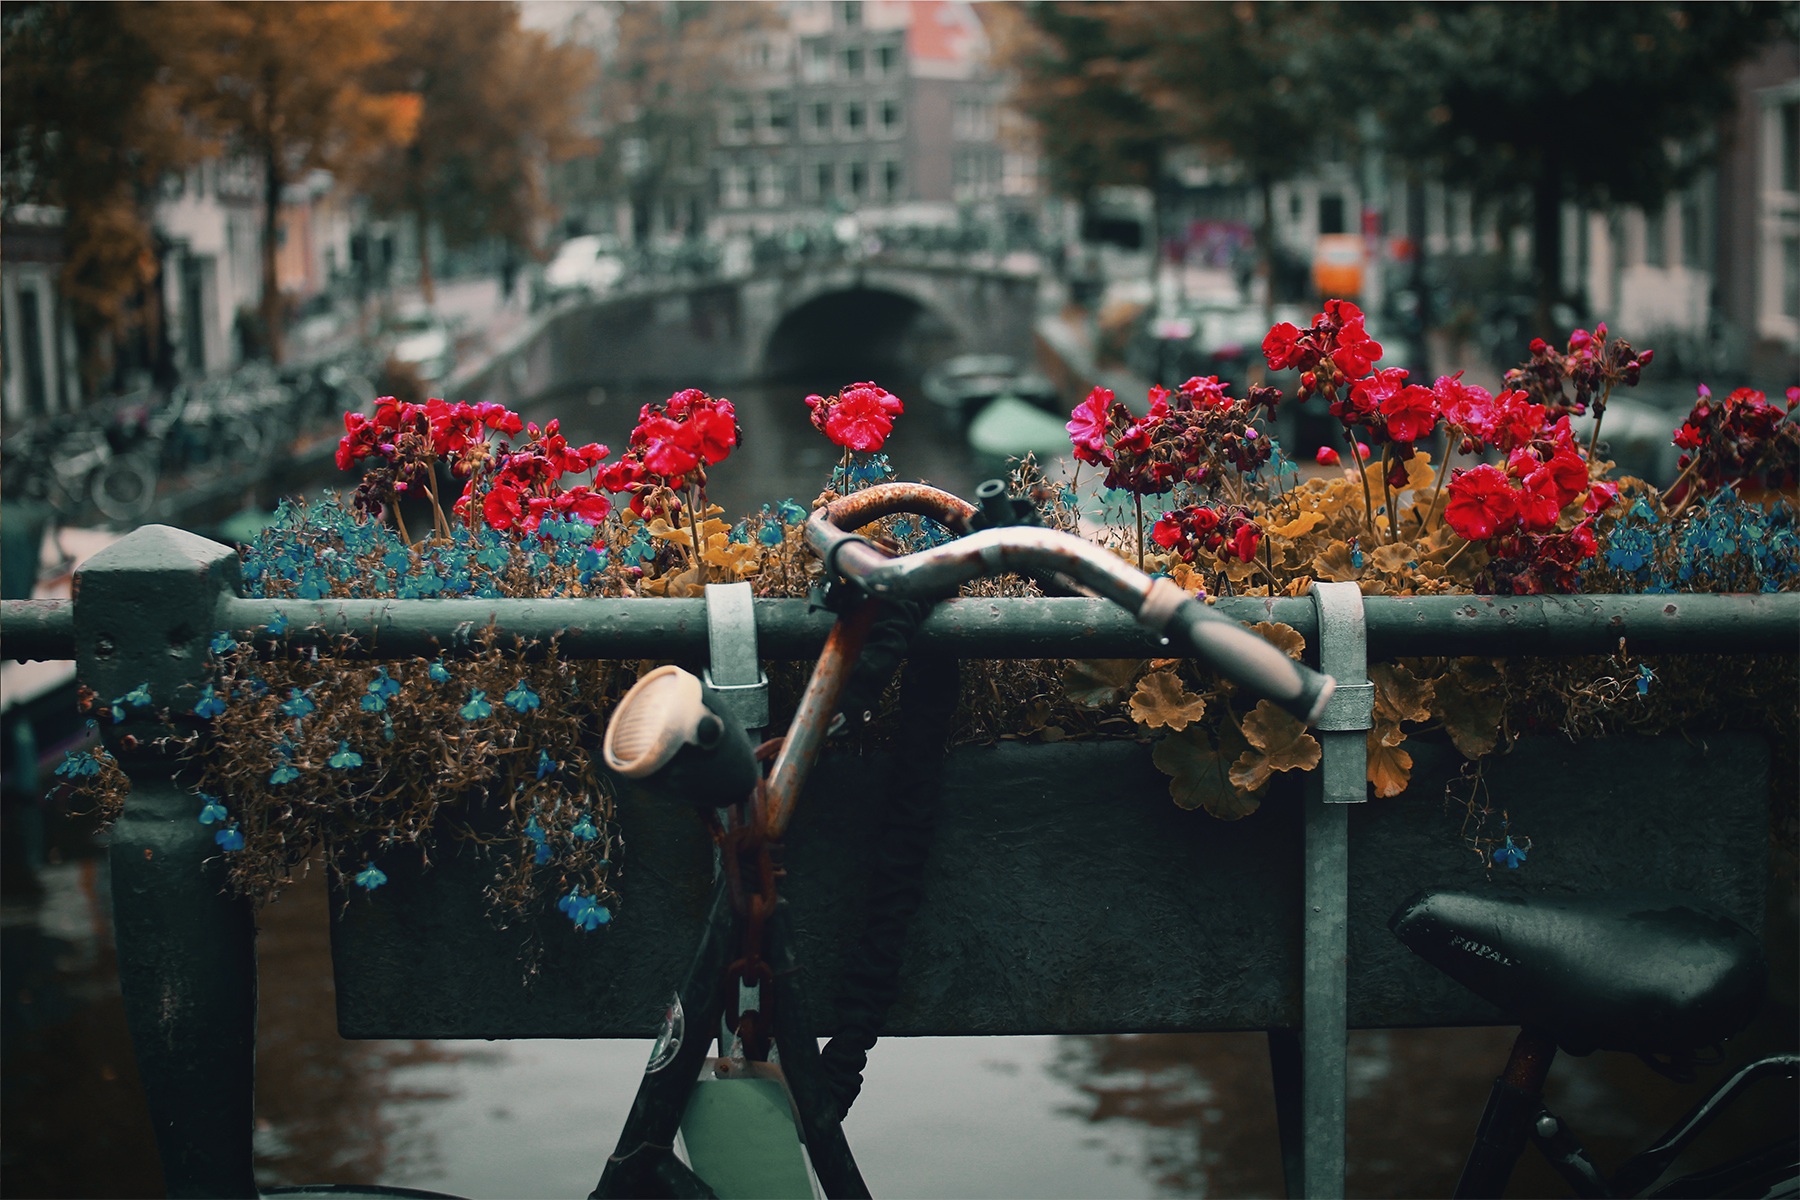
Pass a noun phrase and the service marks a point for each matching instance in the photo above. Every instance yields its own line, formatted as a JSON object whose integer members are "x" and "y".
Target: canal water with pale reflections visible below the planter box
{"x": 1077, "y": 1116}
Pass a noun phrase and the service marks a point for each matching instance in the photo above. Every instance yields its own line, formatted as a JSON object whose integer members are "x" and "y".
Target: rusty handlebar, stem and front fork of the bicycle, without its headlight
{"x": 645, "y": 1152}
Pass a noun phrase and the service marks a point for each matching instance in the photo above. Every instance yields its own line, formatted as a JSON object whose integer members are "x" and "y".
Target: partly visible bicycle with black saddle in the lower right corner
{"x": 1653, "y": 974}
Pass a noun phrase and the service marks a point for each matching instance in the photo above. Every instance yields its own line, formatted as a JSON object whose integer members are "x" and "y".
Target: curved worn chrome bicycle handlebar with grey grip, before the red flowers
{"x": 1158, "y": 604}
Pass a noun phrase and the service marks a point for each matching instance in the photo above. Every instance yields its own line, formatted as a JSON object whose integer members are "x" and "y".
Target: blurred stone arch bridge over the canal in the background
{"x": 858, "y": 319}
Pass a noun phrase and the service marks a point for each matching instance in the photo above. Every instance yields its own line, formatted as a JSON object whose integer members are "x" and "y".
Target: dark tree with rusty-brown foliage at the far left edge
{"x": 85, "y": 127}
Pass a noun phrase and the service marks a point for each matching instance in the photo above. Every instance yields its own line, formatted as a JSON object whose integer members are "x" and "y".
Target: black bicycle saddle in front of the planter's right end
{"x": 1641, "y": 972}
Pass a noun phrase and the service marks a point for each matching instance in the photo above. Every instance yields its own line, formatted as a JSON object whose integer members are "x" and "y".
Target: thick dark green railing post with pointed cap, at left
{"x": 145, "y": 614}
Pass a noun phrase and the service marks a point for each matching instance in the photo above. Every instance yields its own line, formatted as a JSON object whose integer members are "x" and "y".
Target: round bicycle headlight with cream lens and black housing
{"x": 665, "y": 731}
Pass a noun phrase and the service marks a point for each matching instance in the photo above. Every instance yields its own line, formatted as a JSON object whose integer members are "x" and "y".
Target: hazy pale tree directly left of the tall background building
{"x": 674, "y": 64}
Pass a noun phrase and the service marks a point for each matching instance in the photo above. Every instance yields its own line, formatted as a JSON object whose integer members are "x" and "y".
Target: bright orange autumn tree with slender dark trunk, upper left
{"x": 289, "y": 85}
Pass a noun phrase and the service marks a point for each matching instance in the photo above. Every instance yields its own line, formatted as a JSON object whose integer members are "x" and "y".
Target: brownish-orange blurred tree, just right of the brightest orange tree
{"x": 496, "y": 105}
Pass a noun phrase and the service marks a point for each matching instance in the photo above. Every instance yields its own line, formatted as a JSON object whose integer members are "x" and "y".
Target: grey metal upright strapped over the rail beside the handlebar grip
{"x": 1326, "y": 915}
